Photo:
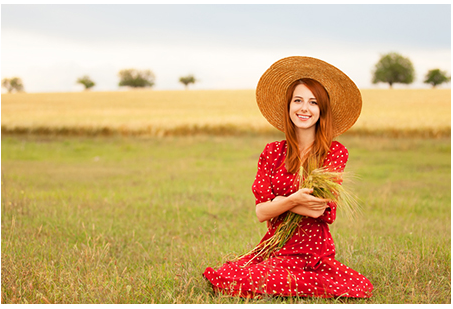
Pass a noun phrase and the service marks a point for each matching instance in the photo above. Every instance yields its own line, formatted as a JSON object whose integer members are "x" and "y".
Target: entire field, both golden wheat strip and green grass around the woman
{"x": 91, "y": 214}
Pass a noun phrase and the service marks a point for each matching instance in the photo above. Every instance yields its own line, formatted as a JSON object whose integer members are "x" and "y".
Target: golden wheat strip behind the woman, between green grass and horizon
{"x": 165, "y": 112}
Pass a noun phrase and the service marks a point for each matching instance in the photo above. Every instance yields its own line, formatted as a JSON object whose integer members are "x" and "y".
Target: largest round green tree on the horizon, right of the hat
{"x": 393, "y": 68}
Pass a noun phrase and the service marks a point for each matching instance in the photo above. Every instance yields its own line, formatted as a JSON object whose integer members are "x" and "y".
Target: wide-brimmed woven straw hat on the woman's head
{"x": 345, "y": 98}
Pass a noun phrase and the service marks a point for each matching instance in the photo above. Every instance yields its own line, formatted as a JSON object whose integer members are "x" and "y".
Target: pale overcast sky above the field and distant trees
{"x": 224, "y": 46}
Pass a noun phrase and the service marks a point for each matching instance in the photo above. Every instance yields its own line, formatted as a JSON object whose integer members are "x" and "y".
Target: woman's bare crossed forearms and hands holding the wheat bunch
{"x": 300, "y": 202}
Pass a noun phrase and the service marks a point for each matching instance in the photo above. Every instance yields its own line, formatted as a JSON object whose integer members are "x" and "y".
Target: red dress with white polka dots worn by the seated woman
{"x": 306, "y": 265}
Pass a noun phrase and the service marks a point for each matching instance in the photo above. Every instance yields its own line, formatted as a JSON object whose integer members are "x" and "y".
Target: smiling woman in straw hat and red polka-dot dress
{"x": 312, "y": 102}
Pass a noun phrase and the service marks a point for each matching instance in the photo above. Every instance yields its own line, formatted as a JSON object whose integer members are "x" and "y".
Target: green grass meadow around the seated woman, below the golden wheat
{"x": 137, "y": 220}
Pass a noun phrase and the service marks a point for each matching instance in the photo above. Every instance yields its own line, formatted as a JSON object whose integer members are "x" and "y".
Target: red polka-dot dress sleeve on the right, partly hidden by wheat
{"x": 336, "y": 160}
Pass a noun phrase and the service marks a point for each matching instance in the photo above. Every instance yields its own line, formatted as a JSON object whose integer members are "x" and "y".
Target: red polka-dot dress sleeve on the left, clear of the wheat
{"x": 262, "y": 187}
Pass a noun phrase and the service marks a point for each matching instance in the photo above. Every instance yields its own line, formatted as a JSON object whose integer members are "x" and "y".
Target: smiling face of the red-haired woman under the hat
{"x": 304, "y": 109}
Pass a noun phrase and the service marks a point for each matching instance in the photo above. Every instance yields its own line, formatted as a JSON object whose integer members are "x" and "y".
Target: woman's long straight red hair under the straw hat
{"x": 323, "y": 130}
